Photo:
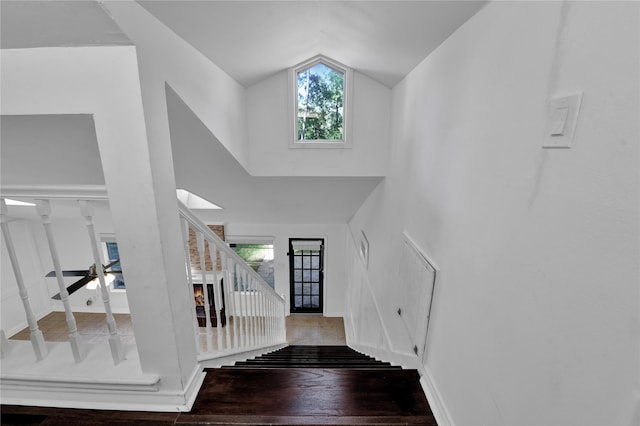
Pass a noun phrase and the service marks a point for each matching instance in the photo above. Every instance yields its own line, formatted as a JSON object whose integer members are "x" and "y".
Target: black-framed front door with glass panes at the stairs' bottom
{"x": 306, "y": 264}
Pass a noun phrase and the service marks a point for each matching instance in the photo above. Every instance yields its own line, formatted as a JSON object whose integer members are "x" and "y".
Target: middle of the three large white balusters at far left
{"x": 44, "y": 210}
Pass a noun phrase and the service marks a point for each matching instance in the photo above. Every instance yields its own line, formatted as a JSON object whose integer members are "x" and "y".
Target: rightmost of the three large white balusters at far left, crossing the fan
{"x": 117, "y": 353}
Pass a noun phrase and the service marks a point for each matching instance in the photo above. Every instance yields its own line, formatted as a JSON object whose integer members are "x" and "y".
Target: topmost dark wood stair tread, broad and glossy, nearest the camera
{"x": 307, "y": 392}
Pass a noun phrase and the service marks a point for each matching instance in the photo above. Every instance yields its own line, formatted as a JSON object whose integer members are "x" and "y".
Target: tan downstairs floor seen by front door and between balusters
{"x": 301, "y": 329}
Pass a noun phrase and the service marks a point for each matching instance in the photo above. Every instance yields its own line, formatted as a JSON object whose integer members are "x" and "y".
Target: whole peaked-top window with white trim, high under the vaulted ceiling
{"x": 320, "y": 104}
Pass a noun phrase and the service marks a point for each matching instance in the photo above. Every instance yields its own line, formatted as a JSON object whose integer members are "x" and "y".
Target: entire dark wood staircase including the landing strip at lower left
{"x": 302, "y": 385}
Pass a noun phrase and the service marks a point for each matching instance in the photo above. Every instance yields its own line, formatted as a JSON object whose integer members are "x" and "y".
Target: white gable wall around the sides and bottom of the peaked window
{"x": 268, "y": 133}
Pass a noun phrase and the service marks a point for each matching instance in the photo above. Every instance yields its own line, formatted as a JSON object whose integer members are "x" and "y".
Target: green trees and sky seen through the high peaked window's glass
{"x": 320, "y": 103}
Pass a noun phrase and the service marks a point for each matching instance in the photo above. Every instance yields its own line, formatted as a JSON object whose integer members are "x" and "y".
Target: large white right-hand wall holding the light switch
{"x": 536, "y": 313}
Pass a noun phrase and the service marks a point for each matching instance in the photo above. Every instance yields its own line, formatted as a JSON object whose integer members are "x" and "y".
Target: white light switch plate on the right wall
{"x": 562, "y": 118}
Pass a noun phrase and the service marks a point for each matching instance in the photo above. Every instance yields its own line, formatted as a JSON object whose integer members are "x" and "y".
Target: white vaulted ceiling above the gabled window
{"x": 251, "y": 40}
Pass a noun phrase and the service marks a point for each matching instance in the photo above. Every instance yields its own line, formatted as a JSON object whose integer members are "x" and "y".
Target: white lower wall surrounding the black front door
{"x": 334, "y": 265}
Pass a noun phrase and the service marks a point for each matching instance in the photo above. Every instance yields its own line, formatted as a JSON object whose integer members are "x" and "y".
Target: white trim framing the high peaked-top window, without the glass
{"x": 346, "y": 141}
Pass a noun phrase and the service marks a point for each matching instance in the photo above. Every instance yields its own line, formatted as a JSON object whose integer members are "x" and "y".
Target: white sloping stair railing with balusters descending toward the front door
{"x": 249, "y": 313}
